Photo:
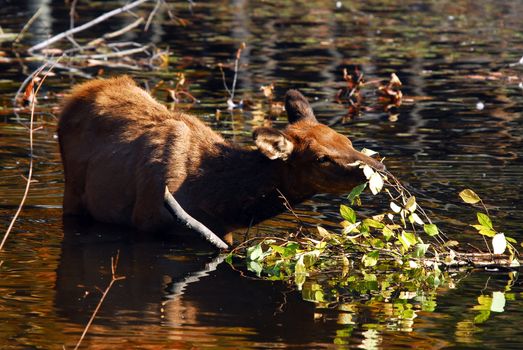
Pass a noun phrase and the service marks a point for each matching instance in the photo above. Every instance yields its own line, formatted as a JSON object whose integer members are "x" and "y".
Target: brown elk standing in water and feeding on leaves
{"x": 121, "y": 150}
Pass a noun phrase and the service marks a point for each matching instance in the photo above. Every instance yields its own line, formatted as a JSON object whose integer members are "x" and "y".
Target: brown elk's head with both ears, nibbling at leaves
{"x": 317, "y": 159}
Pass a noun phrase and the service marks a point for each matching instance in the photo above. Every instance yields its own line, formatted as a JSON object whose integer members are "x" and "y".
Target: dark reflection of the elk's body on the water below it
{"x": 175, "y": 284}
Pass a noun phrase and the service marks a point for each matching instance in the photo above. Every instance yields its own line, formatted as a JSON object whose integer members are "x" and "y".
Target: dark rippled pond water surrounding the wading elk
{"x": 462, "y": 128}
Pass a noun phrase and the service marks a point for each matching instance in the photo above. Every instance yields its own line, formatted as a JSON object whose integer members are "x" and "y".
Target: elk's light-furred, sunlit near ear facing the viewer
{"x": 273, "y": 143}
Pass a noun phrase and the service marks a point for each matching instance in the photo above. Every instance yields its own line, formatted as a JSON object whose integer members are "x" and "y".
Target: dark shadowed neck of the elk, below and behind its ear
{"x": 242, "y": 186}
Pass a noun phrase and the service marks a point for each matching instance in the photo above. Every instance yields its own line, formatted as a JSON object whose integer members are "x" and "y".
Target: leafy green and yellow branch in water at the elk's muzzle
{"x": 398, "y": 251}
